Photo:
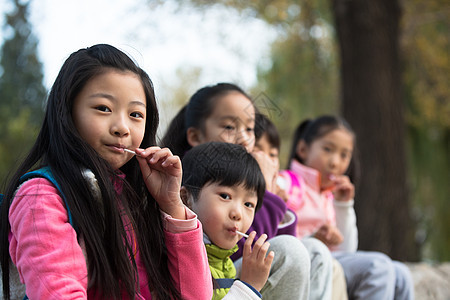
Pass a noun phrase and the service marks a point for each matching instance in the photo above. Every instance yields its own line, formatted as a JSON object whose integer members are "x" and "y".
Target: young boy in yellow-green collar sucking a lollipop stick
{"x": 224, "y": 186}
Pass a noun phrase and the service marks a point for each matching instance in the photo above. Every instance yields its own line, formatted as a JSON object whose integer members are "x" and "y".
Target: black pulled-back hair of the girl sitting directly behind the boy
{"x": 194, "y": 114}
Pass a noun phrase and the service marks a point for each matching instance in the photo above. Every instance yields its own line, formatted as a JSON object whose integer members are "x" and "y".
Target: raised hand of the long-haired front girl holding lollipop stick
{"x": 162, "y": 173}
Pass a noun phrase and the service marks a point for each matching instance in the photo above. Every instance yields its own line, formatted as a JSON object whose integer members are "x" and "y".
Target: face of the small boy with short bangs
{"x": 223, "y": 210}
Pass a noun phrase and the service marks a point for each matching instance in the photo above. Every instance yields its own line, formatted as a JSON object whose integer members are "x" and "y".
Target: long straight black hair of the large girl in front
{"x": 99, "y": 223}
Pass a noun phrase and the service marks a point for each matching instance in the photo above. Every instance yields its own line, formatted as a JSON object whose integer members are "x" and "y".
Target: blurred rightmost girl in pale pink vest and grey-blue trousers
{"x": 321, "y": 194}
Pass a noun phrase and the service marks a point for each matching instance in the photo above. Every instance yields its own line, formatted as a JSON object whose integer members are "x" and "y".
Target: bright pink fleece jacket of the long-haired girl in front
{"x": 50, "y": 260}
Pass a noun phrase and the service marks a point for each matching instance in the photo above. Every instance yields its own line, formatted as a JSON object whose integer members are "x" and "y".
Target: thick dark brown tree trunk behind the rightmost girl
{"x": 368, "y": 34}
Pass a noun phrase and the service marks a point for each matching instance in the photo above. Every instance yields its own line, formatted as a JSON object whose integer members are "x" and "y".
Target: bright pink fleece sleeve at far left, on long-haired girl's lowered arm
{"x": 43, "y": 244}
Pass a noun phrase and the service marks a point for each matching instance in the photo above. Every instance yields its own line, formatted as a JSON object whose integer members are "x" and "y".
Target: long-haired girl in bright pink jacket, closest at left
{"x": 128, "y": 236}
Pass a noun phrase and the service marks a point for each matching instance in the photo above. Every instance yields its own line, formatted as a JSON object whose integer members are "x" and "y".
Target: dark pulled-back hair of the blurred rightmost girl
{"x": 311, "y": 130}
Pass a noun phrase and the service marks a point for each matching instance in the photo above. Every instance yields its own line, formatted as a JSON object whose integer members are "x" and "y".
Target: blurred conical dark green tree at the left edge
{"x": 22, "y": 93}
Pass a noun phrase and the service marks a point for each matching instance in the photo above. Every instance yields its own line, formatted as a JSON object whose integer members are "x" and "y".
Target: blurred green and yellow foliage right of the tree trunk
{"x": 426, "y": 59}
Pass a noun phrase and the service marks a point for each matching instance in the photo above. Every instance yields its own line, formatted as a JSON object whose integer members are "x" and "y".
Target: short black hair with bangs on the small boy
{"x": 224, "y": 164}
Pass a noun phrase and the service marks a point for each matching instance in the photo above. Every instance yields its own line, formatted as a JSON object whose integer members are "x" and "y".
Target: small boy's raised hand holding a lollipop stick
{"x": 255, "y": 264}
